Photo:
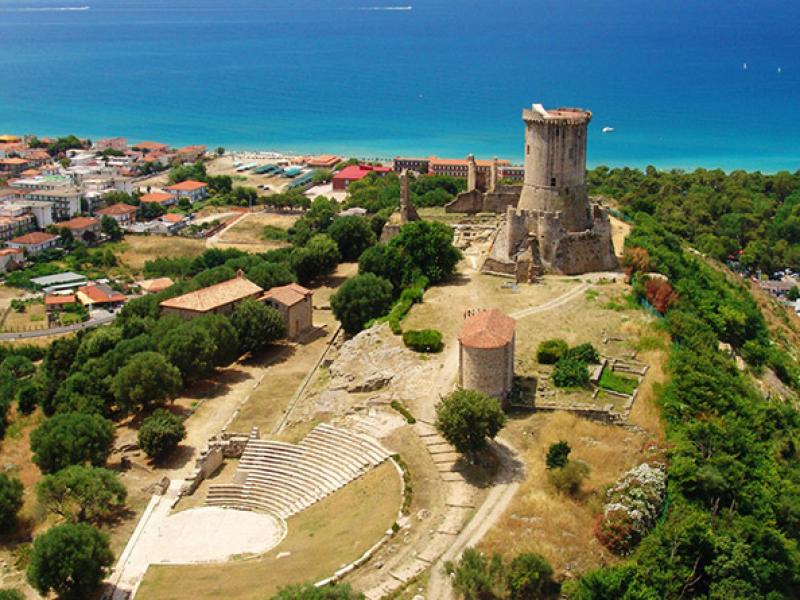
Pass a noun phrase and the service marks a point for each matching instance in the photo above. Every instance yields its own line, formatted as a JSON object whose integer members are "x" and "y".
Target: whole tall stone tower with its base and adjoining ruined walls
{"x": 550, "y": 224}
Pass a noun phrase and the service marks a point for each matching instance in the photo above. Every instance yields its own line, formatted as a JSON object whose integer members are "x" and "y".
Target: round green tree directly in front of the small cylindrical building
{"x": 466, "y": 418}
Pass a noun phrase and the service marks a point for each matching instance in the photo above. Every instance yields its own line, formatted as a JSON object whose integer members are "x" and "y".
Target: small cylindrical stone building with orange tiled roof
{"x": 486, "y": 354}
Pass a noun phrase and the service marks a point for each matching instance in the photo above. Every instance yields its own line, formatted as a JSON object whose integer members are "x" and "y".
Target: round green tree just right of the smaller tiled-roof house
{"x": 361, "y": 299}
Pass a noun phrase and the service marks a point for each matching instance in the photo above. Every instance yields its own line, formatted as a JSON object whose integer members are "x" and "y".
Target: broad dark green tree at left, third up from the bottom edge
{"x": 71, "y": 439}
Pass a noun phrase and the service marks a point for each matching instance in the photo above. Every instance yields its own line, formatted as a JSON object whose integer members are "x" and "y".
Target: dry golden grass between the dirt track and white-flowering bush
{"x": 540, "y": 519}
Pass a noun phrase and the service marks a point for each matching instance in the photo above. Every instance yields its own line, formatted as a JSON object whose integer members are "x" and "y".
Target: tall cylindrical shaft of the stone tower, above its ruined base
{"x": 555, "y": 164}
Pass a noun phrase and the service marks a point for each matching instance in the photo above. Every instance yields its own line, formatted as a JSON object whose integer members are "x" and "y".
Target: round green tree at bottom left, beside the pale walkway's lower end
{"x": 70, "y": 560}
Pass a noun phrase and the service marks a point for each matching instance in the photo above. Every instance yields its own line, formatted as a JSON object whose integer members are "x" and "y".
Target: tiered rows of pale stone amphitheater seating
{"x": 283, "y": 479}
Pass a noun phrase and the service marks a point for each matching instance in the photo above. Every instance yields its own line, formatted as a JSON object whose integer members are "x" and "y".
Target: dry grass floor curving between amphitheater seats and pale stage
{"x": 320, "y": 540}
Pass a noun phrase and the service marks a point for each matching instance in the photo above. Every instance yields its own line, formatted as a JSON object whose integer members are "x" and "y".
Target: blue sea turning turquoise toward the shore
{"x": 684, "y": 83}
